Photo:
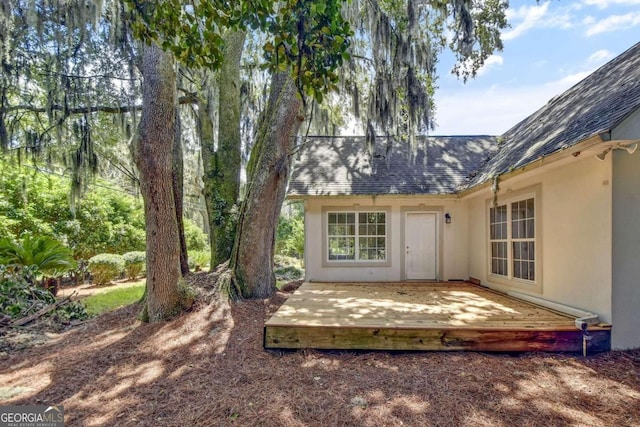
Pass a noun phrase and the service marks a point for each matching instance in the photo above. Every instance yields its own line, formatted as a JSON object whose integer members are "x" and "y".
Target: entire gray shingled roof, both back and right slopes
{"x": 446, "y": 165}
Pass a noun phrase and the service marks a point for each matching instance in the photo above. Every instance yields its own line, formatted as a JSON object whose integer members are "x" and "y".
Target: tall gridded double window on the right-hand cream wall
{"x": 512, "y": 239}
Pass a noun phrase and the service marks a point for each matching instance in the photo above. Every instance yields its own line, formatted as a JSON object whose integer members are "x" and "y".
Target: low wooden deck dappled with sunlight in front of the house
{"x": 422, "y": 316}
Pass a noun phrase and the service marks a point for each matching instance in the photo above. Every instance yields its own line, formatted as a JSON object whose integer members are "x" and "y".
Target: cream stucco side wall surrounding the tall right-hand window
{"x": 574, "y": 232}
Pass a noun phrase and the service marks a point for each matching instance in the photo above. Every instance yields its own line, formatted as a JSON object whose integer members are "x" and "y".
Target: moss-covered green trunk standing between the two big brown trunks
{"x": 222, "y": 166}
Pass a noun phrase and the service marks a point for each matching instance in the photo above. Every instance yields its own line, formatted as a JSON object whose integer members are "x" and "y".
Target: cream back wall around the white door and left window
{"x": 452, "y": 238}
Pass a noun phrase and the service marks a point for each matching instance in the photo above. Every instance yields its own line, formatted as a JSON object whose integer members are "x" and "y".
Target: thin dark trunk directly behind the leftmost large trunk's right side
{"x": 178, "y": 192}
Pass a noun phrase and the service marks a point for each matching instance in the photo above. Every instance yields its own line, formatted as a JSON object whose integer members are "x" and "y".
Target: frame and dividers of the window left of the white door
{"x": 356, "y": 262}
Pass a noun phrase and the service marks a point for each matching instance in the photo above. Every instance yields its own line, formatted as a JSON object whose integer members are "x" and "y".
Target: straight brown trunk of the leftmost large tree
{"x": 154, "y": 154}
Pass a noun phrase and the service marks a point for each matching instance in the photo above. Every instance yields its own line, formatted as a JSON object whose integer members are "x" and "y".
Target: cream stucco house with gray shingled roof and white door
{"x": 548, "y": 212}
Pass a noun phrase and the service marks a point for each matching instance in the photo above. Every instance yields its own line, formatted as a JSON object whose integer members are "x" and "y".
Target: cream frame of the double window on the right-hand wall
{"x": 510, "y": 279}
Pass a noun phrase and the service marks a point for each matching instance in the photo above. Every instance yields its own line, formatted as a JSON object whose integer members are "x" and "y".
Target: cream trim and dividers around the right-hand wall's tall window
{"x": 510, "y": 281}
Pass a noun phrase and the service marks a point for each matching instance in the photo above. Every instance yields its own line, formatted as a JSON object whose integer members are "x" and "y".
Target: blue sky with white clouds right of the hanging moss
{"x": 550, "y": 46}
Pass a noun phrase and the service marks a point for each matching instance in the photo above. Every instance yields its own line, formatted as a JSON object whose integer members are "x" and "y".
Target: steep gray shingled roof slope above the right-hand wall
{"x": 594, "y": 106}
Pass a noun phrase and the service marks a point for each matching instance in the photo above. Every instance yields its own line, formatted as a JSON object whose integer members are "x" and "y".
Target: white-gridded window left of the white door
{"x": 357, "y": 236}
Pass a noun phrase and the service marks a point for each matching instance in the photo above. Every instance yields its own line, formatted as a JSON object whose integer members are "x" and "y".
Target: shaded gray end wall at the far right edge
{"x": 626, "y": 239}
